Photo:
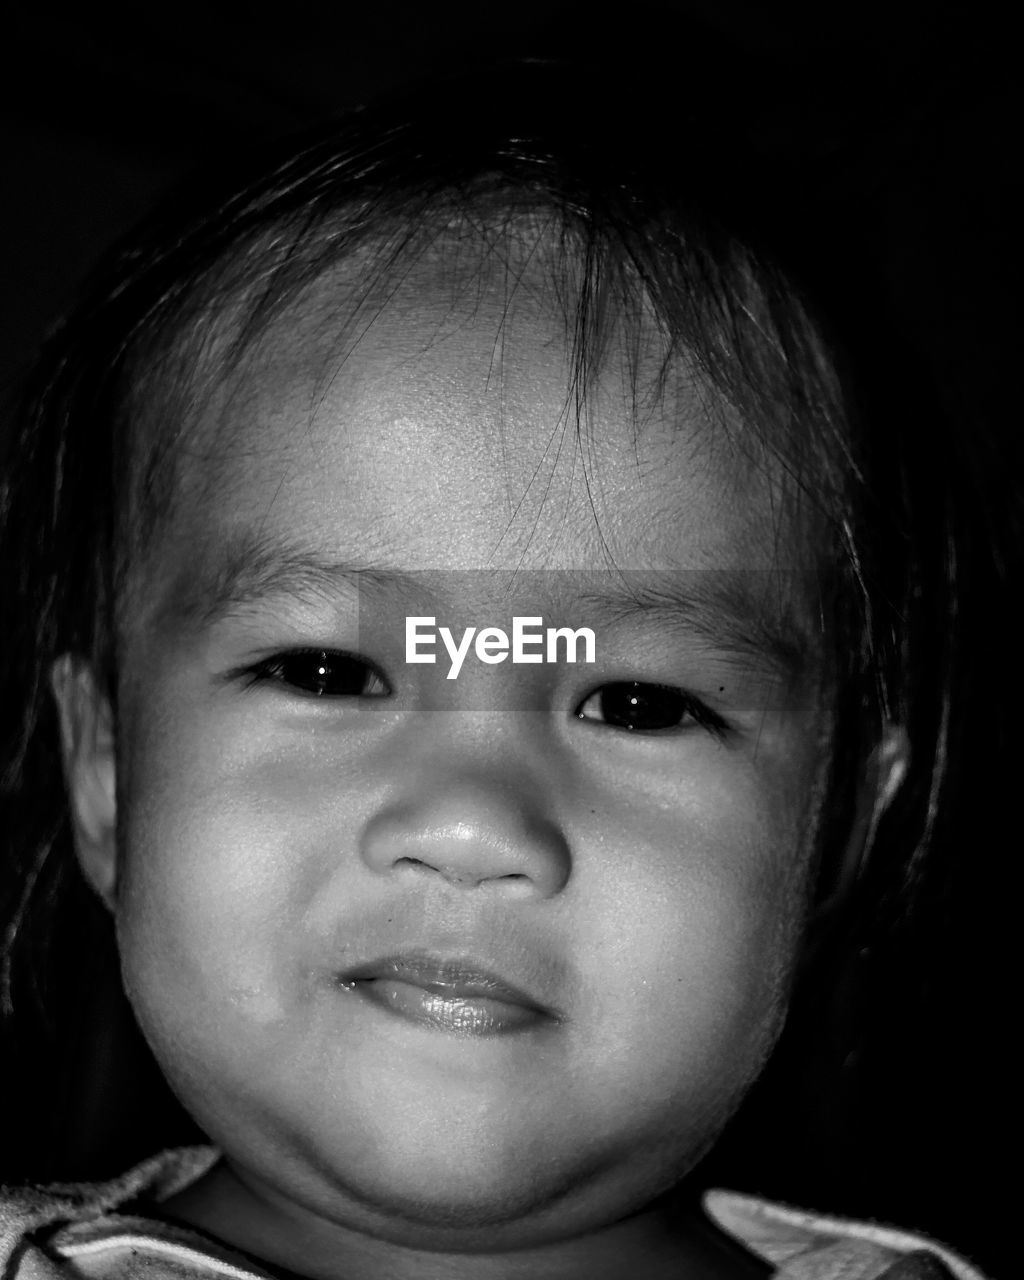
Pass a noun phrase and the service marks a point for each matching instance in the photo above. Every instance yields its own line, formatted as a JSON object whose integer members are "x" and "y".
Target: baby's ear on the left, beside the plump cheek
{"x": 90, "y": 770}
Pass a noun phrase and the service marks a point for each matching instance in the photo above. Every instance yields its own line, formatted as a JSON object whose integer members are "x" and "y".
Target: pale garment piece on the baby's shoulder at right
{"x": 806, "y": 1246}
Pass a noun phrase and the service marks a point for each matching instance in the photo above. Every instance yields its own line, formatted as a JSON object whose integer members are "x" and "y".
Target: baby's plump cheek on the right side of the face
{"x": 703, "y": 922}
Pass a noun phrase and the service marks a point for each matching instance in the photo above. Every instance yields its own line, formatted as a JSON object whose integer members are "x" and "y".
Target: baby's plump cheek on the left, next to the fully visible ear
{"x": 222, "y": 852}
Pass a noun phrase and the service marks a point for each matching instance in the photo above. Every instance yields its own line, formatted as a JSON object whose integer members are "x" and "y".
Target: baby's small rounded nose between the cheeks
{"x": 476, "y": 833}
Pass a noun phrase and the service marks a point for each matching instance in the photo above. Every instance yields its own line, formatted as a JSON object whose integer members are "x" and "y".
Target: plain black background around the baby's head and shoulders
{"x": 99, "y": 115}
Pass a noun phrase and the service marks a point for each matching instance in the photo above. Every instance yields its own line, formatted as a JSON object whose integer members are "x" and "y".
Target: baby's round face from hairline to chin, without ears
{"x": 431, "y": 957}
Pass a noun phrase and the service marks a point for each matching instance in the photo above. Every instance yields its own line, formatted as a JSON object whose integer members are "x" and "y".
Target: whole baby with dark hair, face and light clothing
{"x": 463, "y": 967}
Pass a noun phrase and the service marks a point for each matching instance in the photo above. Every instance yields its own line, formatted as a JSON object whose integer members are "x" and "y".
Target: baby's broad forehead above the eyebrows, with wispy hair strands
{"x": 456, "y": 412}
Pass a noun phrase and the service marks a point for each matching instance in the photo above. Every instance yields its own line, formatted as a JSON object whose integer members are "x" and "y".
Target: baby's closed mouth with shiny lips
{"x": 456, "y": 996}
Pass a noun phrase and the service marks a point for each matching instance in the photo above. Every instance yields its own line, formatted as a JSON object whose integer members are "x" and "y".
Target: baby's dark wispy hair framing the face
{"x": 747, "y": 272}
